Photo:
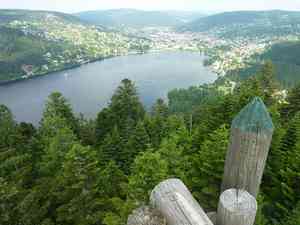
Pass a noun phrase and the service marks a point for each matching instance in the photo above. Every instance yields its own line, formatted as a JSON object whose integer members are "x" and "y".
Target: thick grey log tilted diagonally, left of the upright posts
{"x": 177, "y": 205}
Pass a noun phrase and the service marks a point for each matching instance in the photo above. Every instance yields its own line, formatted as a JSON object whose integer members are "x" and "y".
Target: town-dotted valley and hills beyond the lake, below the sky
{"x": 60, "y": 41}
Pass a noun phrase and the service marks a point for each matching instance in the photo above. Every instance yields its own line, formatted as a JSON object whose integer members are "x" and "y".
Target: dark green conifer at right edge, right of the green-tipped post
{"x": 285, "y": 178}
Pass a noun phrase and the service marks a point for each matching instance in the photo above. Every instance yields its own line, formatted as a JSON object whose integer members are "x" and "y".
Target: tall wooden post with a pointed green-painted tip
{"x": 251, "y": 135}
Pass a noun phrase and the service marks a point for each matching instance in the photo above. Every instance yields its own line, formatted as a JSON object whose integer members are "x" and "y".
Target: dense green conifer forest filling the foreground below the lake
{"x": 70, "y": 170}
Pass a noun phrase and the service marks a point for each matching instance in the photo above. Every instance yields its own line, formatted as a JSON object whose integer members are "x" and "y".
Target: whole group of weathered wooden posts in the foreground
{"x": 172, "y": 203}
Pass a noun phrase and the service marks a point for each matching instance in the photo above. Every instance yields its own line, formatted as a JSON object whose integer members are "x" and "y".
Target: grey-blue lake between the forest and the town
{"x": 90, "y": 87}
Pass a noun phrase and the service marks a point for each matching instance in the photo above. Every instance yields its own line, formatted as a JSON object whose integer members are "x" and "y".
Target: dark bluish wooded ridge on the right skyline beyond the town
{"x": 249, "y": 23}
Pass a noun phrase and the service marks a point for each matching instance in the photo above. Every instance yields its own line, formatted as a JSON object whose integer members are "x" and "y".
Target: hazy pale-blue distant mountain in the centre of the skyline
{"x": 138, "y": 18}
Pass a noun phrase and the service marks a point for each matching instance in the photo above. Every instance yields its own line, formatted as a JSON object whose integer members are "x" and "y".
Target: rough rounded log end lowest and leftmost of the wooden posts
{"x": 146, "y": 215}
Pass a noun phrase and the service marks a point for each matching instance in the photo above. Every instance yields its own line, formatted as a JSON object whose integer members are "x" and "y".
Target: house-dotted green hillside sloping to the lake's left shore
{"x": 38, "y": 42}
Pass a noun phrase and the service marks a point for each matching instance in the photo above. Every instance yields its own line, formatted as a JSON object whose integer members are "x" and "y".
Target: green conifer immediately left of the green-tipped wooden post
{"x": 207, "y": 170}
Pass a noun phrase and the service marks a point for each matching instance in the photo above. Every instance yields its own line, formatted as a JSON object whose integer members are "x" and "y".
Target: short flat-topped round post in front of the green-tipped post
{"x": 236, "y": 207}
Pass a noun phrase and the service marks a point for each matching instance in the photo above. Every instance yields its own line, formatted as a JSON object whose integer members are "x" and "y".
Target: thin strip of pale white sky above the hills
{"x": 195, "y": 5}
